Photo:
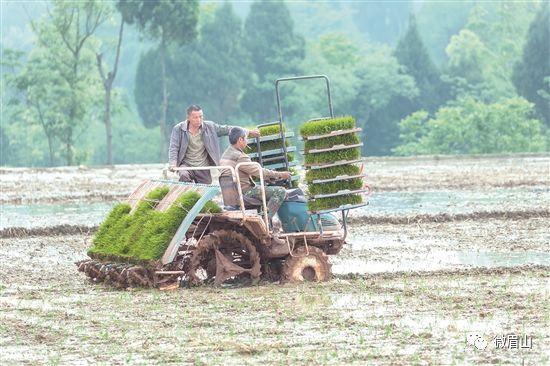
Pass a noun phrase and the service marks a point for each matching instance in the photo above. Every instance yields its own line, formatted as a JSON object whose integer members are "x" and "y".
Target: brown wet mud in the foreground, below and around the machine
{"x": 51, "y": 314}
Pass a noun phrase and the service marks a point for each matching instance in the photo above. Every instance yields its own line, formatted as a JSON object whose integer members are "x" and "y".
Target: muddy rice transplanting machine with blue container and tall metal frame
{"x": 240, "y": 243}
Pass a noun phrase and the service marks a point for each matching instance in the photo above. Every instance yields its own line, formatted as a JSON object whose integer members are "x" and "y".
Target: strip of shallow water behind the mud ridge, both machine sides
{"x": 380, "y": 204}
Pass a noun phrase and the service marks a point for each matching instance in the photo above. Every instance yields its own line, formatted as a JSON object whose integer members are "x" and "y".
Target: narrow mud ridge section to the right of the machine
{"x": 445, "y": 217}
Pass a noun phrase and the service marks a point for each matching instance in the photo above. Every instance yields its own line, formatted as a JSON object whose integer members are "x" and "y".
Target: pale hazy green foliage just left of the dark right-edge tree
{"x": 482, "y": 55}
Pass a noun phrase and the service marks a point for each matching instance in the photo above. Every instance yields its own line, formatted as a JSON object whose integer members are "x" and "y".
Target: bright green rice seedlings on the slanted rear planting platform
{"x": 144, "y": 235}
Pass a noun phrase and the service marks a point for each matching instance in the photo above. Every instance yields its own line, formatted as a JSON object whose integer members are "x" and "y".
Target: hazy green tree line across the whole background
{"x": 490, "y": 93}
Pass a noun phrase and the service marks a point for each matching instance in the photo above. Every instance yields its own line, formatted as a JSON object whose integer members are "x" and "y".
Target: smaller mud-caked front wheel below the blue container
{"x": 302, "y": 266}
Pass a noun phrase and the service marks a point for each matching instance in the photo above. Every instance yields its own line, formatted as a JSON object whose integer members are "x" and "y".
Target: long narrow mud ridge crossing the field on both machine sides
{"x": 66, "y": 229}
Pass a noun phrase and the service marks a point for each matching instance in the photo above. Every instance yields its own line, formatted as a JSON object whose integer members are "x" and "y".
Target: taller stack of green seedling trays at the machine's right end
{"x": 332, "y": 154}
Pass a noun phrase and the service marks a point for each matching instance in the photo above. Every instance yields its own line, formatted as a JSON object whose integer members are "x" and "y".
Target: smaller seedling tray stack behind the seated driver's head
{"x": 268, "y": 150}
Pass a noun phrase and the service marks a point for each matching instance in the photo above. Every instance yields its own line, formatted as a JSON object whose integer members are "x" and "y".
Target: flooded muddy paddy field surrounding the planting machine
{"x": 451, "y": 256}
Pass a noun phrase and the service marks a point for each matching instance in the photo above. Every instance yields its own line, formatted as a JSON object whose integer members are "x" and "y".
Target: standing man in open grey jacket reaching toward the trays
{"x": 194, "y": 143}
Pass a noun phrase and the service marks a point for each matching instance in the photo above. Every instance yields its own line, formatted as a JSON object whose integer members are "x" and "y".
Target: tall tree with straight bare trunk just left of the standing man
{"x": 168, "y": 22}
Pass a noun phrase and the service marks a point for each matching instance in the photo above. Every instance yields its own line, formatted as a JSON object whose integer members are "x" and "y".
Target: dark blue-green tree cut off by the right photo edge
{"x": 534, "y": 66}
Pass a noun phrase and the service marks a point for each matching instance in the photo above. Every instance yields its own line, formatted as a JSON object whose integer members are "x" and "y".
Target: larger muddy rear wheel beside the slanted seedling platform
{"x": 223, "y": 255}
